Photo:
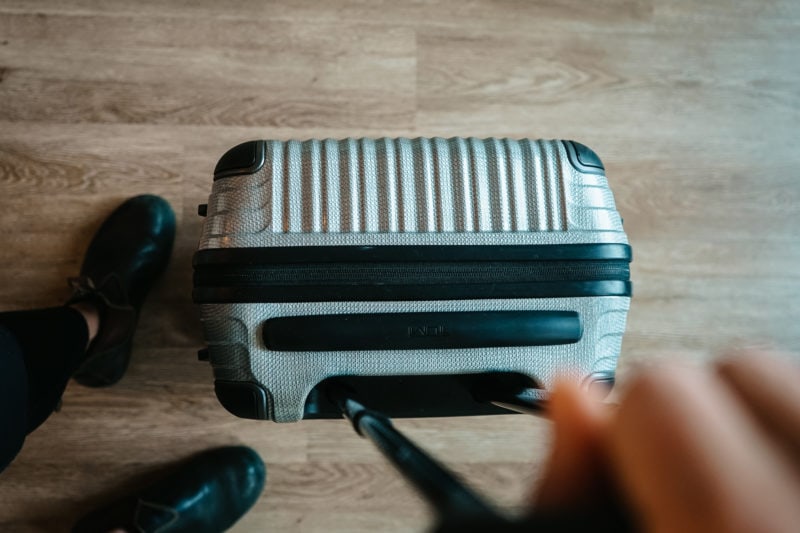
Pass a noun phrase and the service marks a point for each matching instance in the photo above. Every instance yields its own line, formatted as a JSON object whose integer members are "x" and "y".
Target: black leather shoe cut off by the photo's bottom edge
{"x": 207, "y": 494}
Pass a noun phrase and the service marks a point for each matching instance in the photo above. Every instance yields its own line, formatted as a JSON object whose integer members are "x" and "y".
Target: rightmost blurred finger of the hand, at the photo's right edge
{"x": 769, "y": 387}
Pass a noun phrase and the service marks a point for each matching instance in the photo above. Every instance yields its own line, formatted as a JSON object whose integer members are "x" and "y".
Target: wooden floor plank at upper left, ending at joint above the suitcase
{"x": 133, "y": 75}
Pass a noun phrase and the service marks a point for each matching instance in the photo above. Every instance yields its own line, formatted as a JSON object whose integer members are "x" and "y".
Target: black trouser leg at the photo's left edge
{"x": 39, "y": 351}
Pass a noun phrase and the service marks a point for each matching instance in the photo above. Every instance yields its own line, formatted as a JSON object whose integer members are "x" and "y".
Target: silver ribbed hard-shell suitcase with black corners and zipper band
{"x": 415, "y": 272}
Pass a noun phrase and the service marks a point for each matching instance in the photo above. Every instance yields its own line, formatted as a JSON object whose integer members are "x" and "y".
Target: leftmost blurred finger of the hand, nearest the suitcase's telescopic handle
{"x": 575, "y": 474}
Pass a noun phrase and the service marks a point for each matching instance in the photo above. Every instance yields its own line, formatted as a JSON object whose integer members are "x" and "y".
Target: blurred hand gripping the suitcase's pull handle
{"x": 712, "y": 449}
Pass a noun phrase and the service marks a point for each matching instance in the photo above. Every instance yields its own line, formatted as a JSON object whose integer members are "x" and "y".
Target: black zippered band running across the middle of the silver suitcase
{"x": 402, "y": 273}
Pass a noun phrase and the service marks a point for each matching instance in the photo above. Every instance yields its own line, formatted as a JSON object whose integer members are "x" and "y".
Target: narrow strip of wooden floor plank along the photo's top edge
{"x": 501, "y": 15}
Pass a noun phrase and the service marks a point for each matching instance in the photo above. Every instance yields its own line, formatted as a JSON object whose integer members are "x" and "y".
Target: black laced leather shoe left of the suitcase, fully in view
{"x": 127, "y": 254}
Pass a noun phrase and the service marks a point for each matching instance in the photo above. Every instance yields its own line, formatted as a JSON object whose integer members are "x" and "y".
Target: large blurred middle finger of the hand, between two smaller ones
{"x": 691, "y": 458}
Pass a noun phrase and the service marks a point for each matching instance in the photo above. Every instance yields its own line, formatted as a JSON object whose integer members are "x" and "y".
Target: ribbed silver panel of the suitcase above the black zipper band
{"x": 399, "y": 186}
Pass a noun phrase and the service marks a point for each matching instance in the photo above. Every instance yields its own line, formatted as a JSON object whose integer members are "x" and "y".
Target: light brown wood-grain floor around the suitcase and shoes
{"x": 694, "y": 107}
